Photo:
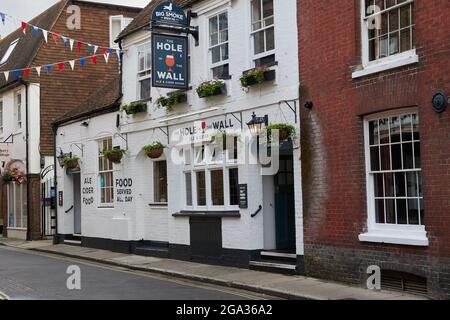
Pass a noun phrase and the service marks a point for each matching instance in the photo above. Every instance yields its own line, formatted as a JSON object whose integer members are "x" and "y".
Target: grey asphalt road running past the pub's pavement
{"x": 29, "y": 275}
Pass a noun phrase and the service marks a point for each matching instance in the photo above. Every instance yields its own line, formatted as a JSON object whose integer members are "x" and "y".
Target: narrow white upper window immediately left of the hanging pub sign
{"x": 144, "y": 71}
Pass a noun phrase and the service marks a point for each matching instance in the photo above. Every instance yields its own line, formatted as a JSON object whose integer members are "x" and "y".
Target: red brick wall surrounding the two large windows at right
{"x": 332, "y": 134}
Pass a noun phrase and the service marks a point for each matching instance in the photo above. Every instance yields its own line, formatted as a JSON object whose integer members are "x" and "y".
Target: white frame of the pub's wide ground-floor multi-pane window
{"x": 207, "y": 166}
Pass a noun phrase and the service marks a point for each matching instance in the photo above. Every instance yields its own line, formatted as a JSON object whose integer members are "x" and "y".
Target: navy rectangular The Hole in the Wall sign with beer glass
{"x": 170, "y": 68}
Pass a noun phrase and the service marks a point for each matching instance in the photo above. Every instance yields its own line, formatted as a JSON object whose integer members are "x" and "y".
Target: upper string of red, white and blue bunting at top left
{"x": 93, "y": 48}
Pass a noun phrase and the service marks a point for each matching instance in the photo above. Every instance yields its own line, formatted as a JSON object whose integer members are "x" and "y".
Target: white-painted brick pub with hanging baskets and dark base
{"x": 229, "y": 74}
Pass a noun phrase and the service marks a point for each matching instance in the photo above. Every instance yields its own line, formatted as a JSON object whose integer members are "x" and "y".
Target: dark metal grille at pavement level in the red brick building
{"x": 401, "y": 281}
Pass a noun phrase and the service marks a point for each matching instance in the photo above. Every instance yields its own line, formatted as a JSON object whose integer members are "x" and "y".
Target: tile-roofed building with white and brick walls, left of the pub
{"x": 30, "y": 104}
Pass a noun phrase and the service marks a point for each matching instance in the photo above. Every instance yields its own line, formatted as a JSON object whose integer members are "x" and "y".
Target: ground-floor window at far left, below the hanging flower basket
{"x": 17, "y": 205}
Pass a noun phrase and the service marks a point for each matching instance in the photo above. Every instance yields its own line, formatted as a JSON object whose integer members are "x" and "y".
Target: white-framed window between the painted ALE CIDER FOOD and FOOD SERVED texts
{"x": 106, "y": 185}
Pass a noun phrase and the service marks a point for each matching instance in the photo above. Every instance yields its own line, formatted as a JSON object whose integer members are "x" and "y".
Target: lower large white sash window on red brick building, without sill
{"x": 394, "y": 170}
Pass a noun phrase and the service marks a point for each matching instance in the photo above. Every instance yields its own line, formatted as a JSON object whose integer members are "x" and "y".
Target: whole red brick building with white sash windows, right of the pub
{"x": 375, "y": 155}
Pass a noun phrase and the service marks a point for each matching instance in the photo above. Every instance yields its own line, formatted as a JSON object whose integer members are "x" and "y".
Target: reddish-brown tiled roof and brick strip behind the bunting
{"x": 62, "y": 91}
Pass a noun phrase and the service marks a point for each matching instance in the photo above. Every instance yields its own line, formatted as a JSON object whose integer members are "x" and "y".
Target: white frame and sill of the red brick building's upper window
{"x": 382, "y": 64}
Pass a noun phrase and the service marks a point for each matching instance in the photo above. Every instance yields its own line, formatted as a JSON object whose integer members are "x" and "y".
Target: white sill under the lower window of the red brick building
{"x": 410, "y": 238}
